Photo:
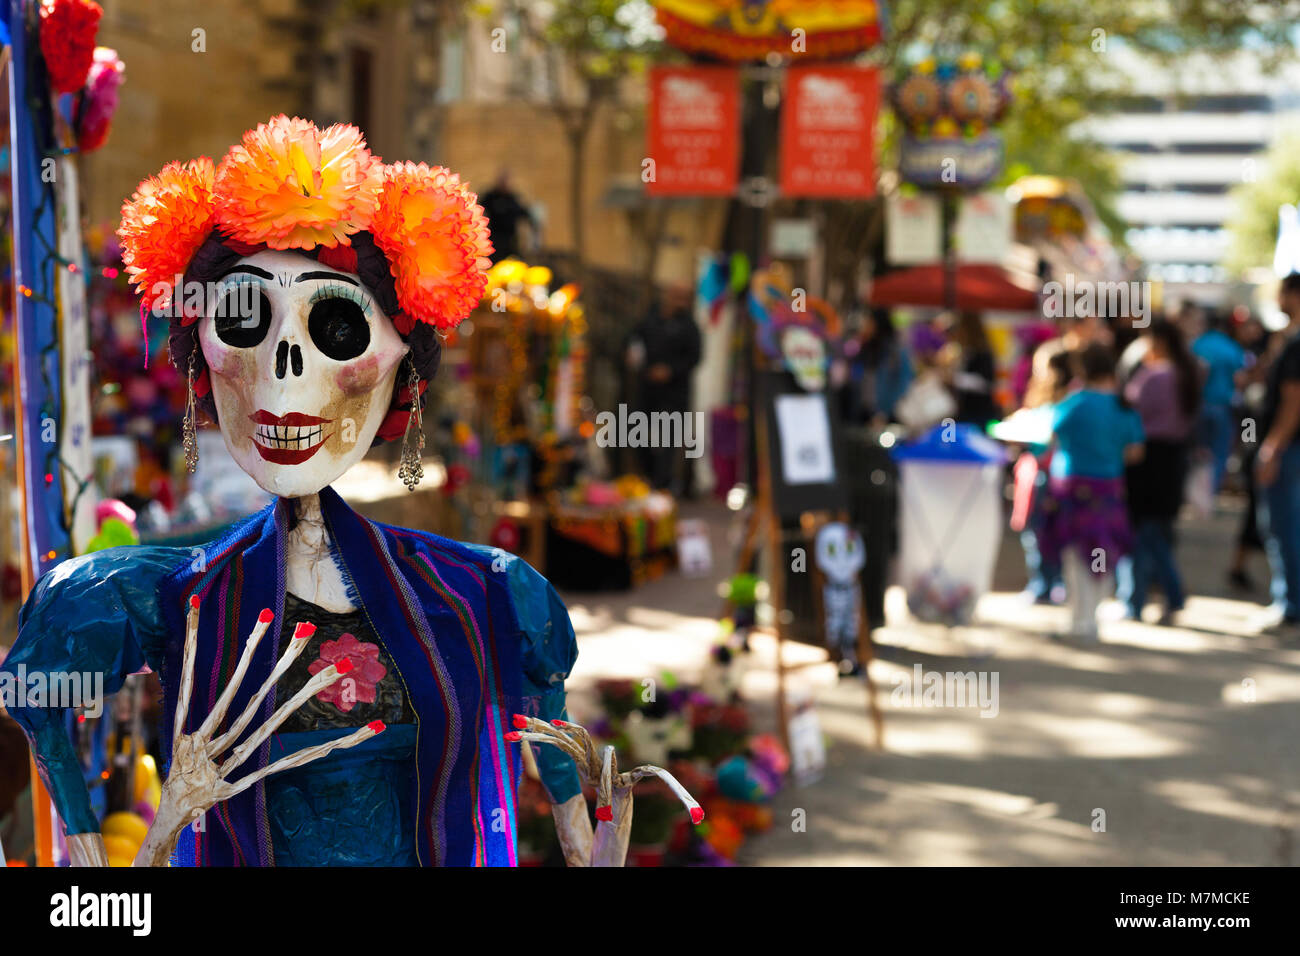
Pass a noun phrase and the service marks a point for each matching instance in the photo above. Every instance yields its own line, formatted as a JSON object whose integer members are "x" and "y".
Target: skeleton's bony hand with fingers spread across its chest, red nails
{"x": 197, "y": 781}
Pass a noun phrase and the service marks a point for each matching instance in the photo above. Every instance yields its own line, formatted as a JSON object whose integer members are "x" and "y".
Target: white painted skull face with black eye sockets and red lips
{"x": 304, "y": 364}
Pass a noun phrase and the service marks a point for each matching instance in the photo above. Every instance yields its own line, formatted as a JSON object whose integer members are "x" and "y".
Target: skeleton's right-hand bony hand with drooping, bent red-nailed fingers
{"x": 613, "y": 794}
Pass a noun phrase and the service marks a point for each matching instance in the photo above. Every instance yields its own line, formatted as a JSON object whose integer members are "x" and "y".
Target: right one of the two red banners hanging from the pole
{"x": 829, "y": 123}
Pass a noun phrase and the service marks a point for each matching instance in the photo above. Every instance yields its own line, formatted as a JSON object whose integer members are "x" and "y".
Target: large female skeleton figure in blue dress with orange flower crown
{"x": 335, "y": 691}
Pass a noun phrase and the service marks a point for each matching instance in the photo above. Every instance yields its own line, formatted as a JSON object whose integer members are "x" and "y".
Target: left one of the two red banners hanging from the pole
{"x": 694, "y": 132}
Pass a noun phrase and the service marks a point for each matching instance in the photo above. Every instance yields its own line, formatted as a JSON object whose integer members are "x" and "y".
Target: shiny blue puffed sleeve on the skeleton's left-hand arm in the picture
{"x": 88, "y": 625}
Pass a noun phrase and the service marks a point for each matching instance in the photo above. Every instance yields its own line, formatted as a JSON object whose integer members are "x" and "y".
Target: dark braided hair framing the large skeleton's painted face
{"x": 372, "y": 267}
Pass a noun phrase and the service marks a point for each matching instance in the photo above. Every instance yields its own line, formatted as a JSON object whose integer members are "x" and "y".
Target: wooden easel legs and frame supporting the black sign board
{"x": 765, "y": 525}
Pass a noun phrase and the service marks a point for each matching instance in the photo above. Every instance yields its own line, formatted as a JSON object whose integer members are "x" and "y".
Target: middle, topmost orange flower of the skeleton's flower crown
{"x": 291, "y": 185}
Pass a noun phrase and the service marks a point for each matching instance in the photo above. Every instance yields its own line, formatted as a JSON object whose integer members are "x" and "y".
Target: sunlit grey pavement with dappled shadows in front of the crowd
{"x": 1159, "y": 746}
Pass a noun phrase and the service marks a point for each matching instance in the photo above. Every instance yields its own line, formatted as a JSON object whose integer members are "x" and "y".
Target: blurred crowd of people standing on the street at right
{"x": 1123, "y": 427}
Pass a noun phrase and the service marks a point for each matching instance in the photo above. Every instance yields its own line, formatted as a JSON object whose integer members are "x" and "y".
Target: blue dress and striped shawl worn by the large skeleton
{"x": 475, "y": 635}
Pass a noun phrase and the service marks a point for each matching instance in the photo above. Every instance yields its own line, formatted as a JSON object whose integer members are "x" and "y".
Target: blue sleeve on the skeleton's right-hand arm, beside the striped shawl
{"x": 549, "y": 652}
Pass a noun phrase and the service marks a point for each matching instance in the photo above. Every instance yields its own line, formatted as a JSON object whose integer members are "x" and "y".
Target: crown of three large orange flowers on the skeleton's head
{"x": 292, "y": 185}
